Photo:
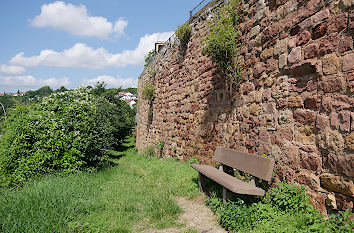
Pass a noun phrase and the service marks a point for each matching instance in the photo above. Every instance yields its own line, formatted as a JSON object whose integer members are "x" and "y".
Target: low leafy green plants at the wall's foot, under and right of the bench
{"x": 285, "y": 209}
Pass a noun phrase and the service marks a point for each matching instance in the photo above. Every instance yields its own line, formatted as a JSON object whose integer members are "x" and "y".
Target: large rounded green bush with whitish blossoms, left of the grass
{"x": 66, "y": 131}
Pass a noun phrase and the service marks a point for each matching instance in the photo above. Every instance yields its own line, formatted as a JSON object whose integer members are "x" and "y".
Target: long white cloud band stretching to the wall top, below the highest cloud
{"x": 83, "y": 56}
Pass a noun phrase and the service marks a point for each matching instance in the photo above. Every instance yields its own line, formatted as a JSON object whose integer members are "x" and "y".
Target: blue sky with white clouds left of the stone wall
{"x": 74, "y": 43}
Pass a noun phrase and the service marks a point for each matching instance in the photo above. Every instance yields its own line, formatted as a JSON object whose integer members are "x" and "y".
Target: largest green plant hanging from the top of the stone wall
{"x": 223, "y": 41}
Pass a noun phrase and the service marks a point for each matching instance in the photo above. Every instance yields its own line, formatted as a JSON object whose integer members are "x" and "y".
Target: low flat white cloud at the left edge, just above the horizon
{"x": 26, "y": 81}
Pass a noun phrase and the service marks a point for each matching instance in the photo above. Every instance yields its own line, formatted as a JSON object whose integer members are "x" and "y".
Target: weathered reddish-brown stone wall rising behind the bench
{"x": 295, "y": 101}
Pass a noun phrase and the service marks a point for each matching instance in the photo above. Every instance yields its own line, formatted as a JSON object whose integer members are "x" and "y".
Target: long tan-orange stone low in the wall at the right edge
{"x": 337, "y": 184}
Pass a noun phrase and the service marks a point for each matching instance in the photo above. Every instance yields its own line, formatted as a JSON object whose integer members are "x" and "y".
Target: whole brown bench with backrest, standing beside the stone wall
{"x": 255, "y": 165}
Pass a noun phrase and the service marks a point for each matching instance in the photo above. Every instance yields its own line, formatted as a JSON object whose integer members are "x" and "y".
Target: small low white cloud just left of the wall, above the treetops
{"x": 111, "y": 82}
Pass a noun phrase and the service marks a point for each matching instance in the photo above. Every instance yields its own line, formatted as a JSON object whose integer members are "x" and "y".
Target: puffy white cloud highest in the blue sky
{"x": 76, "y": 20}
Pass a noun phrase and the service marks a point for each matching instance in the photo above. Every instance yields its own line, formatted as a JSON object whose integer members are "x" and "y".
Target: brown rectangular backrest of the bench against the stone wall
{"x": 259, "y": 166}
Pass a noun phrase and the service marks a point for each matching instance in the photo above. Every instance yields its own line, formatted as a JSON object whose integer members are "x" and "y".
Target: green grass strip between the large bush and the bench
{"x": 138, "y": 192}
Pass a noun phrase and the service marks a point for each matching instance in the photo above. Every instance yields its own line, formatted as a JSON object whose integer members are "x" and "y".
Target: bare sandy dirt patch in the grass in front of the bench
{"x": 196, "y": 216}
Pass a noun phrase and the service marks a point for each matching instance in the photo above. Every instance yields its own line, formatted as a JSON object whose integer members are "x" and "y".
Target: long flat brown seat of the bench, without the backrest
{"x": 231, "y": 183}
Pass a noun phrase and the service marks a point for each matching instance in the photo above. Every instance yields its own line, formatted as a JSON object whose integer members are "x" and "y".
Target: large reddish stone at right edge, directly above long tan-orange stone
{"x": 341, "y": 164}
